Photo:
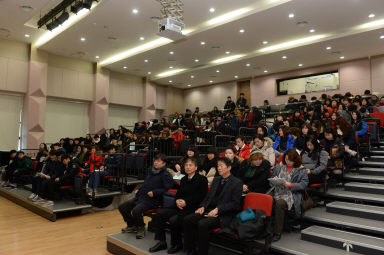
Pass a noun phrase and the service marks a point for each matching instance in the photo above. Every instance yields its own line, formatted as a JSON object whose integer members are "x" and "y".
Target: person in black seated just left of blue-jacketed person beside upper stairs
{"x": 346, "y": 131}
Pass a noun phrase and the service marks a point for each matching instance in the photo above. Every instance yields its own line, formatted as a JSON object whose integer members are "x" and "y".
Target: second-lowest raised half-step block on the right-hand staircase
{"x": 357, "y": 210}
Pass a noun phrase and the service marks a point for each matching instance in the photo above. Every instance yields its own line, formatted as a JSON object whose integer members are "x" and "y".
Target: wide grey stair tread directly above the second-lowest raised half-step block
{"x": 340, "y": 193}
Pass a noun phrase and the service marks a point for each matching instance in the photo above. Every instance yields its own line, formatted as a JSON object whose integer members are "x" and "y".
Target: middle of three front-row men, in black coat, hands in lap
{"x": 187, "y": 201}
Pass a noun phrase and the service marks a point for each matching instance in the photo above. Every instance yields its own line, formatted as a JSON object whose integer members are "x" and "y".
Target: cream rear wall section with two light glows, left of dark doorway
{"x": 208, "y": 97}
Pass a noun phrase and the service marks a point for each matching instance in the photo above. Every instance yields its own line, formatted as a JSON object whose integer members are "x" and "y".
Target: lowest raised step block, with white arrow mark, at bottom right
{"x": 338, "y": 239}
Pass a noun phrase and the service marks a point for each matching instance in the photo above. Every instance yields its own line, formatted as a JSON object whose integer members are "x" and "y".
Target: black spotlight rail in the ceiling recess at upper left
{"x": 59, "y": 14}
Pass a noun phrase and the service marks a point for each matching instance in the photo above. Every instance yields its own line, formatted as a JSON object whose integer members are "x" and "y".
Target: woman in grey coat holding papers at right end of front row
{"x": 288, "y": 194}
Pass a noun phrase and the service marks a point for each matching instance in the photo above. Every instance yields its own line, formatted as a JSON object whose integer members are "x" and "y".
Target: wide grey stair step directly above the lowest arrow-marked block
{"x": 321, "y": 216}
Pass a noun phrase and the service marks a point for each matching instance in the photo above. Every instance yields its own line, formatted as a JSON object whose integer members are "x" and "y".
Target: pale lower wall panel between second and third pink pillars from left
{"x": 122, "y": 115}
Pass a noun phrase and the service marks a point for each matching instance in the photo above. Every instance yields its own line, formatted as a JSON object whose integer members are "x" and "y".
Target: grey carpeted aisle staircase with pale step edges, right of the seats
{"x": 353, "y": 218}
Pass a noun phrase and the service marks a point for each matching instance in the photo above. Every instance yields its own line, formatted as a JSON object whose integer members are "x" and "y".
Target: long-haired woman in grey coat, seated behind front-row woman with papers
{"x": 315, "y": 160}
